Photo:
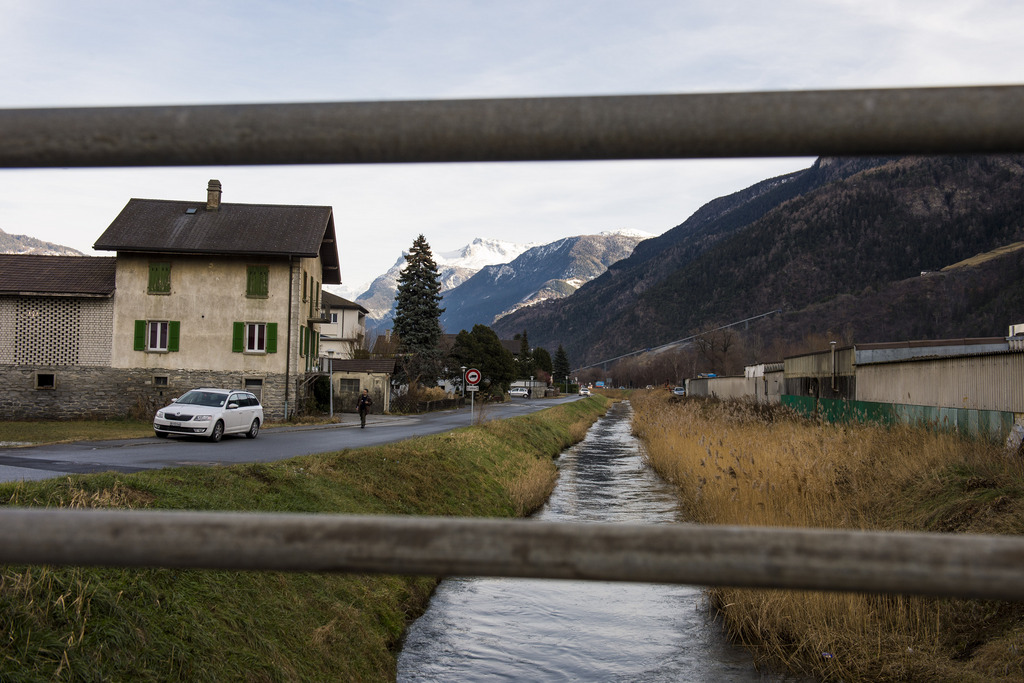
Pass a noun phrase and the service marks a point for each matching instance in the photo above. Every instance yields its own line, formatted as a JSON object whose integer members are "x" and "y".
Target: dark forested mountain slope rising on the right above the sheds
{"x": 844, "y": 230}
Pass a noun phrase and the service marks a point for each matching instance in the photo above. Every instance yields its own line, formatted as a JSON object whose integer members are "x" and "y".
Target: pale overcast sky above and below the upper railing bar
{"x": 72, "y": 54}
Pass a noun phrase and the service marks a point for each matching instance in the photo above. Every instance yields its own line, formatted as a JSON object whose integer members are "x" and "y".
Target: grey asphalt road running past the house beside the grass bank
{"x": 45, "y": 462}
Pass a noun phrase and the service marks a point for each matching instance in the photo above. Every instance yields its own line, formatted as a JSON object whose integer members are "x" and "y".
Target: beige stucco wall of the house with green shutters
{"x": 208, "y": 295}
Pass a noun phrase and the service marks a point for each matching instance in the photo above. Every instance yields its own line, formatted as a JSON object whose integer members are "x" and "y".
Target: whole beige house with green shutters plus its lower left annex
{"x": 199, "y": 294}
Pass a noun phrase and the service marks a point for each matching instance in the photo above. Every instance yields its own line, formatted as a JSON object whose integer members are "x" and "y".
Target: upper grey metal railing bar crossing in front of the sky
{"x": 680, "y": 126}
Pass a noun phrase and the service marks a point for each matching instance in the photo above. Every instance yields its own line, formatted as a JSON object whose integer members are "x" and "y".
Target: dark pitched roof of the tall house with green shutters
{"x": 261, "y": 230}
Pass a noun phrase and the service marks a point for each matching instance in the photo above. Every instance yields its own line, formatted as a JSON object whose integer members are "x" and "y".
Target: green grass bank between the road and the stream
{"x": 83, "y": 624}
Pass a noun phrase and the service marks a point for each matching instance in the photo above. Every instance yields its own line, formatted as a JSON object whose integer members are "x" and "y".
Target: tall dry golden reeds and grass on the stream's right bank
{"x": 745, "y": 464}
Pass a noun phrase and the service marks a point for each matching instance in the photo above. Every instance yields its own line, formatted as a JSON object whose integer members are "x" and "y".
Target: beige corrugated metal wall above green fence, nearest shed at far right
{"x": 985, "y": 382}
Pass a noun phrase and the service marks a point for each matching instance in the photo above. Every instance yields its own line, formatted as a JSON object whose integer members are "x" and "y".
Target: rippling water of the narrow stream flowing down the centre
{"x": 536, "y": 630}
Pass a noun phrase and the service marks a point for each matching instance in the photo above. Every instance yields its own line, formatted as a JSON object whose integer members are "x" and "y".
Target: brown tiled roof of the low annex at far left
{"x": 81, "y": 276}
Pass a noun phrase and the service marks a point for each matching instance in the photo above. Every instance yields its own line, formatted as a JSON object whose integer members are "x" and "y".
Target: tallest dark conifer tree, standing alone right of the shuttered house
{"x": 417, "y": 317}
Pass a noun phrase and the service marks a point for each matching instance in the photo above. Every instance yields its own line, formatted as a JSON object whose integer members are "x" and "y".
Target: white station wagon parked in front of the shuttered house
{"x": 210, "y": 413}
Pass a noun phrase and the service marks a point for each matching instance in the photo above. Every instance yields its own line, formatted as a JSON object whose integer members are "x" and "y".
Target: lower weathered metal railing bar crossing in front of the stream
{"x": 977, "y": 567}
